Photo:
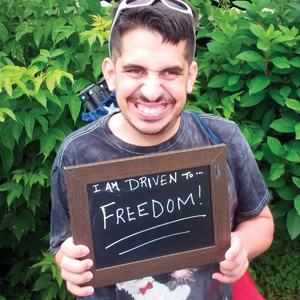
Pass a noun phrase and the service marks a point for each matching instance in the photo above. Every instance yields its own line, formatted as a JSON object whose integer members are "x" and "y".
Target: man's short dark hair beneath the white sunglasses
{"x": 173, "y": 26}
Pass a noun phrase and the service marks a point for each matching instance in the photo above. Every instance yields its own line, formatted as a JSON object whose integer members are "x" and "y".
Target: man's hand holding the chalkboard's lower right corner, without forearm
{"x": 235, "y": 264}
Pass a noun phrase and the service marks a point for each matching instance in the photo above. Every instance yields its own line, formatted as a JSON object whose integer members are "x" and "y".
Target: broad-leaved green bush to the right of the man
{"x": 249, "y": 72}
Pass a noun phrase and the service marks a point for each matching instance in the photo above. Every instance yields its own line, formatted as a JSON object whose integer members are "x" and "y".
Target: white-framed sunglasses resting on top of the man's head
{"x": 173, "y": 4}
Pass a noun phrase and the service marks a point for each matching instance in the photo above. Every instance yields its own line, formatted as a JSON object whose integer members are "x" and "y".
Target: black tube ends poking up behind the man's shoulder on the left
{"x": 93, "y": 95}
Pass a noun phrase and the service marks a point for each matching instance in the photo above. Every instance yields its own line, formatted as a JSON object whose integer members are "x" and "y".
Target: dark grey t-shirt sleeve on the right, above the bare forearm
{"x": 252, "y": 193}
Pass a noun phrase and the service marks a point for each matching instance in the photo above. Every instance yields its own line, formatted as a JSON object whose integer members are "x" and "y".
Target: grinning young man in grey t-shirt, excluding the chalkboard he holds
{"x": 151, "y": 69}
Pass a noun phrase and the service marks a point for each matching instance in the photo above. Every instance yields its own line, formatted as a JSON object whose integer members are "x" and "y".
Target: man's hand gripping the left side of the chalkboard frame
{"x": 74, "y": 270}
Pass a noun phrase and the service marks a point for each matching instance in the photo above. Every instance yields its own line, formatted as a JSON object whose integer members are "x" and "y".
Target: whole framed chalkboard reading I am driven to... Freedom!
{"x": 151, "y": 214}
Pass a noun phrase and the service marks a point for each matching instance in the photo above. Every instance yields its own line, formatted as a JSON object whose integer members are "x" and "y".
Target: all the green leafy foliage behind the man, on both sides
{"x": 249, "y": 65}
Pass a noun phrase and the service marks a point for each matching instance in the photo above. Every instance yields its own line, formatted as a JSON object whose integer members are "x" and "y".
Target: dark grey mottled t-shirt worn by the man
{"x": 247, "y": 196}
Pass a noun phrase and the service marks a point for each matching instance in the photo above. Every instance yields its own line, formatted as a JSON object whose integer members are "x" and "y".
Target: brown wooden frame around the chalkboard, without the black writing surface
{"x": 80, "y": 177}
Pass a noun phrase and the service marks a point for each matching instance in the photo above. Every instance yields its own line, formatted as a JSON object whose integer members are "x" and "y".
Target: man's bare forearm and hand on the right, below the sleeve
{"x": 251, "y": 238}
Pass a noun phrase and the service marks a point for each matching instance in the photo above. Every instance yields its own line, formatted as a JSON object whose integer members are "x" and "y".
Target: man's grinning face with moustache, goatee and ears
{"x": 151, "y": 79}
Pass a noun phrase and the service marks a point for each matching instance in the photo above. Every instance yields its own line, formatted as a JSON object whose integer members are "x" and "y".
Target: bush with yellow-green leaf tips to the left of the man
{"x": 49, "y": 53}
